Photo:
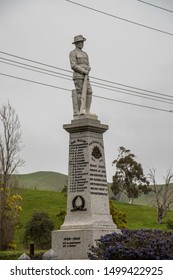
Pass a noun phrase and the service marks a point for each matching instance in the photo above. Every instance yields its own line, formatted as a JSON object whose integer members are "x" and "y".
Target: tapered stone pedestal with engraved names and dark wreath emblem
{"x": 88, "y": 216}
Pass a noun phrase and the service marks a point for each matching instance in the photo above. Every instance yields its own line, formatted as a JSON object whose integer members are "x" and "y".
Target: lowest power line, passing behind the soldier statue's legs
{"x": 101, "y": 97}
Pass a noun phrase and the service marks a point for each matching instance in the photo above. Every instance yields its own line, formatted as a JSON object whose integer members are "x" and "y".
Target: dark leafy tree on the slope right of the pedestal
{"x": 129, "y": 177}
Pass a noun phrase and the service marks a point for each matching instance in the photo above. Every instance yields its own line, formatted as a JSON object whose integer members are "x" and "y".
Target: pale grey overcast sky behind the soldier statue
{"x": 119, "y": 51}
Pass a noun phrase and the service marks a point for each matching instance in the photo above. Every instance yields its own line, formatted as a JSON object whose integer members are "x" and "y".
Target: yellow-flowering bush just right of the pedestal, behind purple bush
{"x": 119, "y": 217}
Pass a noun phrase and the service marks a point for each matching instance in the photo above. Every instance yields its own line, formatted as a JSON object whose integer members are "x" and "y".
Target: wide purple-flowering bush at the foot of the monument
{"x": 134, "y": 245}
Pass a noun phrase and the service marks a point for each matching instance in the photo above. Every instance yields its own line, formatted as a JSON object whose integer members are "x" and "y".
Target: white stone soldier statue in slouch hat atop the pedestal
{"x": 80, "y": 65}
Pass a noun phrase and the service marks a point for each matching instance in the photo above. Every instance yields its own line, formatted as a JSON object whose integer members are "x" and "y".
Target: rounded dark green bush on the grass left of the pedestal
{"x": 38, "y": 230}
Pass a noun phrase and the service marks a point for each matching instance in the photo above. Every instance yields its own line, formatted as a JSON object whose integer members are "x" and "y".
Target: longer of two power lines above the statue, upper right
{"x": 120, "y": 18}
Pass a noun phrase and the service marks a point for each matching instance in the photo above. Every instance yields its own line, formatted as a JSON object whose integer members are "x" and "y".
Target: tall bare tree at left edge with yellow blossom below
{"x": 10, "y": 147}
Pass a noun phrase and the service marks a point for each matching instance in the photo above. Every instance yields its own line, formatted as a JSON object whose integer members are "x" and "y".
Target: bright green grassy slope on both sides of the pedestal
{"x": 138, "y": 216}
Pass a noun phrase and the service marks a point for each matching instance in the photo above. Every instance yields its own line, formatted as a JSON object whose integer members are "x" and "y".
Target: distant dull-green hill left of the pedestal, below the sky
{"x": 43, "y": 180}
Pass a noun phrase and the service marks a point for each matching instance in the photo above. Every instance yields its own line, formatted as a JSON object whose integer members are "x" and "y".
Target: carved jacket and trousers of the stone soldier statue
{"x": 79, "y": 63}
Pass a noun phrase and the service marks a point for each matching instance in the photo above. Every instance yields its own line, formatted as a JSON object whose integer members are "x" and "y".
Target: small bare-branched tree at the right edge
{"x": 163, "y": 193}
